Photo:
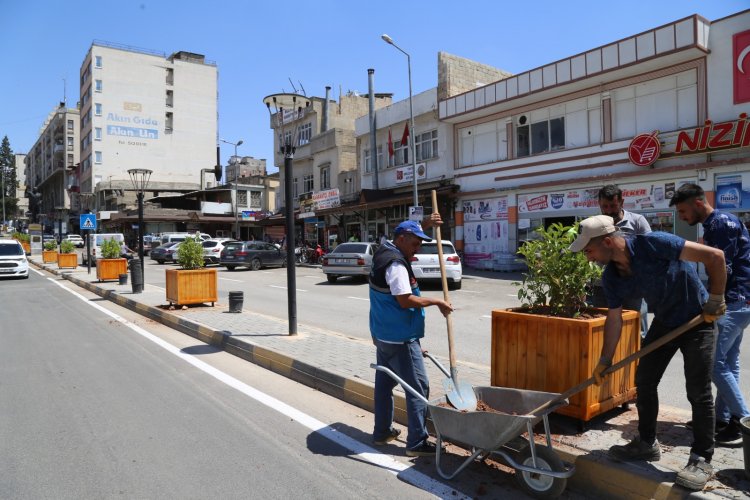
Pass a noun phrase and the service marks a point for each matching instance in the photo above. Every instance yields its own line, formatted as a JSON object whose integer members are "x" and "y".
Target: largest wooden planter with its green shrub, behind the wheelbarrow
{"x": 554, "y": 340}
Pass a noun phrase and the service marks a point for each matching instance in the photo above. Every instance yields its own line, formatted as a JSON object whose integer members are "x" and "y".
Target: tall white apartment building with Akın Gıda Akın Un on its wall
{"x": 142, "y": 109}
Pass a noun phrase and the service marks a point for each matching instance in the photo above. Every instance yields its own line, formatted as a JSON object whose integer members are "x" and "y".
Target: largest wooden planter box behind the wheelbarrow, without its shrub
{"x": 543, "y": 353}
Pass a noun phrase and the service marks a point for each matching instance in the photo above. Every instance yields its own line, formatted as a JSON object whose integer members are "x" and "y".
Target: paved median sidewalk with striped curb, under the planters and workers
{"x": 339, "y": 365}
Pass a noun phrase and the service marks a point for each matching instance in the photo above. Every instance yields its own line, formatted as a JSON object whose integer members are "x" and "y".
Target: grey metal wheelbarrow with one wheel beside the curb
{"x": 539, "y": 471}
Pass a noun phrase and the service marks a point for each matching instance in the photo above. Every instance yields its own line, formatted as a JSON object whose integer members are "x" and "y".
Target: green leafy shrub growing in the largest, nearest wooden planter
{"x": 558, "y": 280}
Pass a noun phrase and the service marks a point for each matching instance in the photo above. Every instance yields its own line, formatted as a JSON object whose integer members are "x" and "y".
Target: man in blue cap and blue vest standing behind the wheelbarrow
{"x": 396, "y": 325}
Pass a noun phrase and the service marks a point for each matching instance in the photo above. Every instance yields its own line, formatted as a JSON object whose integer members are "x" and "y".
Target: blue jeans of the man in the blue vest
{"x": 406, "y": 361}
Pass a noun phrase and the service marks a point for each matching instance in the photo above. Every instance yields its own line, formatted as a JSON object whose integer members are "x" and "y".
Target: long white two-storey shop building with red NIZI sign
{"x": 648, "y": 113}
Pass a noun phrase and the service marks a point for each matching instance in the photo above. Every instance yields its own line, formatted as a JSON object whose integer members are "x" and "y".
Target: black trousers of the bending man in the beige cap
{"x": 697, "y": 347}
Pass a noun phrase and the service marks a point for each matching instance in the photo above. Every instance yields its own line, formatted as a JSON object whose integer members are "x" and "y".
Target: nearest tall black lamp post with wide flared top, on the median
{"x": 288, "y": 108}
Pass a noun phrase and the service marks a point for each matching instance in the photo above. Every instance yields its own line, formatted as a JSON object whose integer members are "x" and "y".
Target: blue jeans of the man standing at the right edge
{"x": 726, "y": 373}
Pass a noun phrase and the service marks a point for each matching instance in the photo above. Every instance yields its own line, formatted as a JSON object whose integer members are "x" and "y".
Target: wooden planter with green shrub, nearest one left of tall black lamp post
{"x": 192, "y": 283}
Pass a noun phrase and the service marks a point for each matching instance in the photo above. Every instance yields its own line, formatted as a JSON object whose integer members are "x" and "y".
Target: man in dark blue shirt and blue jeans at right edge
{"x": 724, "y": 231}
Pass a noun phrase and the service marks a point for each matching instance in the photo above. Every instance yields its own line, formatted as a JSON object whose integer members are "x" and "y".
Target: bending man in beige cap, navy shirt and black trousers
{"x": 655, "y": 266}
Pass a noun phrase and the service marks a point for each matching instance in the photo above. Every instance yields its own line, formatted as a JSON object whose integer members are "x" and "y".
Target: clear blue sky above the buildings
{"x": 259, "y": 45}
